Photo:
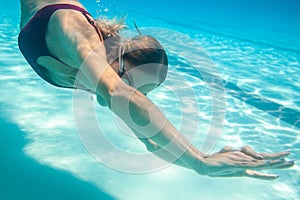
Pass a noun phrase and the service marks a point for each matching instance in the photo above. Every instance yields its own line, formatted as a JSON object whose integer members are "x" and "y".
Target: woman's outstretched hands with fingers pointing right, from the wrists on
{"x": 231, "y": 162}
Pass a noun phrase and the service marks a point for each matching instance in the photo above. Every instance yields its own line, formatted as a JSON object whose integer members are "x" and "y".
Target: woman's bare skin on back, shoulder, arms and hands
{"x": 76, "y": 43}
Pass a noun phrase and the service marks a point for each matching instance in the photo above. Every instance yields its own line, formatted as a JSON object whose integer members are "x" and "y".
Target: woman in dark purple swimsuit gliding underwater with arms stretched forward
{"x": 60, "y": 40}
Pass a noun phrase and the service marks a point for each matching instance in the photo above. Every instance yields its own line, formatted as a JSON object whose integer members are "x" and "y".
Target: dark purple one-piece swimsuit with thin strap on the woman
{"x": 32, "y": 38}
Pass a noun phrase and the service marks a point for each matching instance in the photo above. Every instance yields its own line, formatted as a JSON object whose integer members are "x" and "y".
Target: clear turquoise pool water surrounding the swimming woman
{"x": 254, "y": 45}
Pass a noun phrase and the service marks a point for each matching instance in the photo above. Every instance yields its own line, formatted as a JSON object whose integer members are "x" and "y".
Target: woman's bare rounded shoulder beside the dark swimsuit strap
{"x": 70, "y": 35}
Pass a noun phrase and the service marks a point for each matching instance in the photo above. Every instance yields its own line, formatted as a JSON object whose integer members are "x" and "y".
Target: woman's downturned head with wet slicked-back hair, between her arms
{"x": 143, "y": 63}
